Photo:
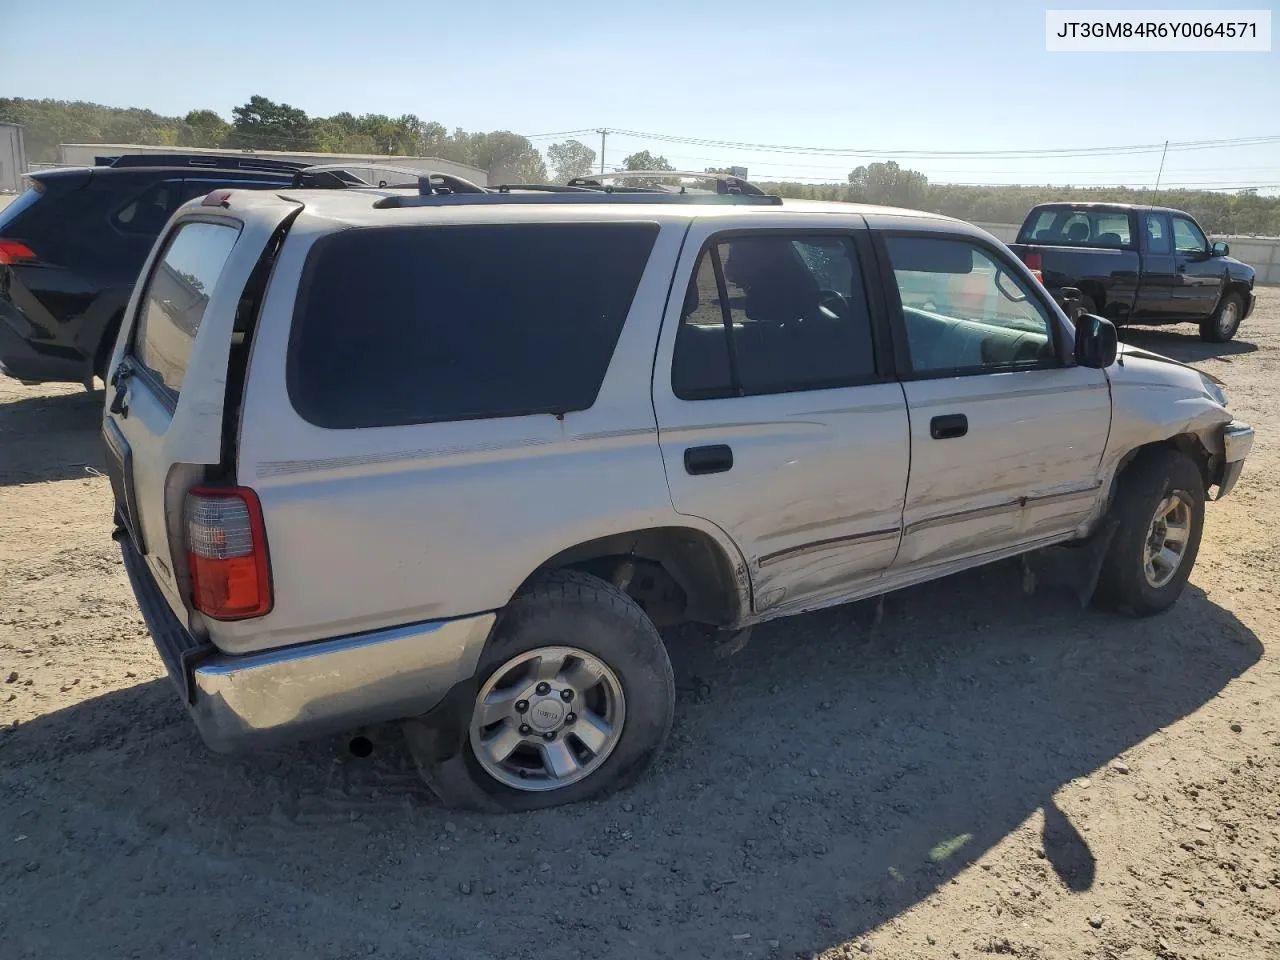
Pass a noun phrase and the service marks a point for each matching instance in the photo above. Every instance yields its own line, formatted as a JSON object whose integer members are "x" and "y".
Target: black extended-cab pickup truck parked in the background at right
{"x": 1137, "y": 266}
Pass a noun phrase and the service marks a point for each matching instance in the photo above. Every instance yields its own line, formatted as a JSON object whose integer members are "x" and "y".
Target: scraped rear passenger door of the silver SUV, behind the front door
{"x": 776, "y": 419}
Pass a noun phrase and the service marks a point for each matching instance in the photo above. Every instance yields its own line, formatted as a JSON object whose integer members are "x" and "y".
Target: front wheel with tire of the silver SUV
{"x": 1149, "y": 484}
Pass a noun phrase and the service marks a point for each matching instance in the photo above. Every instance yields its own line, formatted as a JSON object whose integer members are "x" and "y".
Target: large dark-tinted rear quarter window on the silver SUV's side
{"x": 420, "y": 324}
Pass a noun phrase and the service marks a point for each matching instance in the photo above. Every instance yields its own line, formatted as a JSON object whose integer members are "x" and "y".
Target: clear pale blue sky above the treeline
{"x": 952, "y": 76}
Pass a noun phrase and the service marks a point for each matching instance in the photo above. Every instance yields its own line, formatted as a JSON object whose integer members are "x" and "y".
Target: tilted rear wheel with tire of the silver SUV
{"x": 589, "y": 624}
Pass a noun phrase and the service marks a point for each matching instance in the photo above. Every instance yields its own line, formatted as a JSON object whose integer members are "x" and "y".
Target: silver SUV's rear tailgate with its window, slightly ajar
{"x": 168, "y": 382}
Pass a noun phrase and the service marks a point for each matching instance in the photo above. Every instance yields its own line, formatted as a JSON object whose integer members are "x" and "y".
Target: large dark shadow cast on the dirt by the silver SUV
{"x": 817, "y": 785}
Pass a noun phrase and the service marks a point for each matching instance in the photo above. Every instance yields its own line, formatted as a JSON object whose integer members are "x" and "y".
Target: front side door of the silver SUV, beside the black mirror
{"x": 1007, "y": 433}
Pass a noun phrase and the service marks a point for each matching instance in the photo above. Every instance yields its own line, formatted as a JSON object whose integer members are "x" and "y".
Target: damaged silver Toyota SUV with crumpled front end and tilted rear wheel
{"x": 456, "y": 458}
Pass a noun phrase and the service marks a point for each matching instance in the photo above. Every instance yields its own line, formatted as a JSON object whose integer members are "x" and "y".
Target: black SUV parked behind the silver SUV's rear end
{"x": 72, "y": 246}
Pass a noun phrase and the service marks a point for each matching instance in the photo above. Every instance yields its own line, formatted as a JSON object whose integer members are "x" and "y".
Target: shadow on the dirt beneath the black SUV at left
{"x": 51, "y": 437}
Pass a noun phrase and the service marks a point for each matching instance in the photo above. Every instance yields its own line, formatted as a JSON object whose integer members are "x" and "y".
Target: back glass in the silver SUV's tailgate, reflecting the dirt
{"x": 179, "y": 291}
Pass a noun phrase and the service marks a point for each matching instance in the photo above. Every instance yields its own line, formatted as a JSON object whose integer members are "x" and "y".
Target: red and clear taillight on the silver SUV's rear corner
{"x": 231, "y": 577}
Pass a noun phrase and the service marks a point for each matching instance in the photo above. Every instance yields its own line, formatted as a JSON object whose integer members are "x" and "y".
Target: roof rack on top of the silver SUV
{"x": 584, "y": 190}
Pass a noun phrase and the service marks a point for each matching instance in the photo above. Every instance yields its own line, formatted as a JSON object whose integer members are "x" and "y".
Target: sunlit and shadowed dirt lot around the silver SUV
{"x": 984, "y": 772}
